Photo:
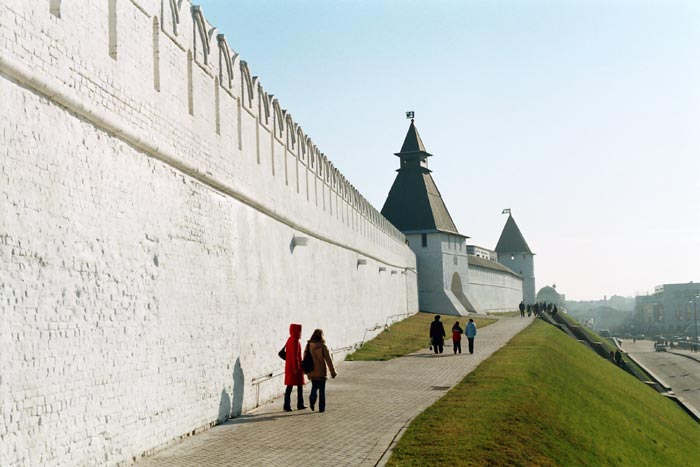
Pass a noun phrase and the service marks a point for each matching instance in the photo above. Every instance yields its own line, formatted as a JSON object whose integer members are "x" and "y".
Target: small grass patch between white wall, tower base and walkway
{"x": 408, "y": 336}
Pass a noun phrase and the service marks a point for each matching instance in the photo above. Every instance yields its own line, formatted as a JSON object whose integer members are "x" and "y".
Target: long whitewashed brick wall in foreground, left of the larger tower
{"x": 162, "y": 221}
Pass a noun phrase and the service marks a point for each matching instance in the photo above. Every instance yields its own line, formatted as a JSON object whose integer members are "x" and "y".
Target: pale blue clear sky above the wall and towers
{"x": 582, "y": 116}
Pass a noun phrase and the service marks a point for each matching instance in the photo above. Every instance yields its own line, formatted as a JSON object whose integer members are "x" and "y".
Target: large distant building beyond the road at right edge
{"x": 669, "y": 309}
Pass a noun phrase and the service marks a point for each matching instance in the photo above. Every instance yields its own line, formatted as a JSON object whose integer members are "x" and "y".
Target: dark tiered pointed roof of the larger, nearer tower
{"x": 414, "y": 202}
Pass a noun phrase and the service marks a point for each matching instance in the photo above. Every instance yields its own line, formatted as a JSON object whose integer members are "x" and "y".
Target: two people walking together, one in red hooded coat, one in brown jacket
{"x": 315, "y": 363}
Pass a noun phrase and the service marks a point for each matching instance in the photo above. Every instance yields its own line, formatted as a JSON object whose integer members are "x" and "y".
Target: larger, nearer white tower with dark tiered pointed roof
{"x": 414, "y": 205}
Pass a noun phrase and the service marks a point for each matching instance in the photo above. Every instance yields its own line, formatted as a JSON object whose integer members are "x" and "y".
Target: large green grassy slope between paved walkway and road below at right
{"x": 546, "y": 400}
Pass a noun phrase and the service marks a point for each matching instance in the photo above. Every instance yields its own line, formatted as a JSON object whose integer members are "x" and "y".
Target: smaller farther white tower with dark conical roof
{"x": 514, "y": 253}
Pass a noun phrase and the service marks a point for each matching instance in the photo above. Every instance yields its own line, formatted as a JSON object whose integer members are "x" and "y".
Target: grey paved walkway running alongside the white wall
{"x": 367, "y": 407}
